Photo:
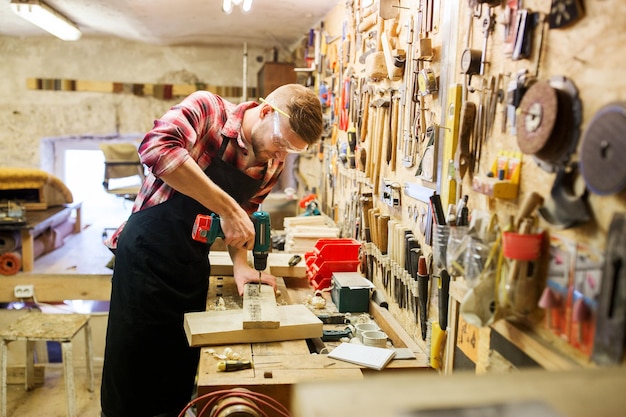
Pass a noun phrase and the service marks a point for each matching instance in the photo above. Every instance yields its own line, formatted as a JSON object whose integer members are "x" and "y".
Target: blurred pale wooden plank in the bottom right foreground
{"x": 576, "y": 393}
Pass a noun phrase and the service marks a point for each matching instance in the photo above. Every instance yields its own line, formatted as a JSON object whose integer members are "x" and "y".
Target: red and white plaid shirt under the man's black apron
{"x": 194, "y": 129}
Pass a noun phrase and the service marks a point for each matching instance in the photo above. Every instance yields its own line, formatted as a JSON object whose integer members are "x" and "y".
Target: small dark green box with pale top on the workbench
{"x": 351, "y": 292}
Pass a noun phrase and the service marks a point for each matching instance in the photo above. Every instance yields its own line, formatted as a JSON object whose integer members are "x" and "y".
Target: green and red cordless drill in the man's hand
{"x": 207, "y": 228}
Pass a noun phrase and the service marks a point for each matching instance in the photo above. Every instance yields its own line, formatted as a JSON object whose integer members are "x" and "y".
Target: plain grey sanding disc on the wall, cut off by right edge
{"x": 603, "y": 151}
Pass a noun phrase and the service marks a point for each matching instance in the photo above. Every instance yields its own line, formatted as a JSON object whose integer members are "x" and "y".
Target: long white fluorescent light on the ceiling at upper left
{"x": 40, "y": 14}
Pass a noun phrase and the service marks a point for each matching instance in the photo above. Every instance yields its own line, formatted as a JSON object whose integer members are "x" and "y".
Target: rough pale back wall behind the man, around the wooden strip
{"x": 29, "y": 115}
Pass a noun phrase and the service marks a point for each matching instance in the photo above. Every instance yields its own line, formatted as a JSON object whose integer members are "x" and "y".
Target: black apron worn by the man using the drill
{"x": 160, "y": 274}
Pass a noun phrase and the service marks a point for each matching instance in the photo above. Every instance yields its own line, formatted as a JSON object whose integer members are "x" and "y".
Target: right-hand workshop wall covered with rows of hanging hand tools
{"x": 393, "y": 138}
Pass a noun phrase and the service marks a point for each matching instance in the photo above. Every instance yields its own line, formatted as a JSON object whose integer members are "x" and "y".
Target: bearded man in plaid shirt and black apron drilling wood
{"x": 205, "y": 155}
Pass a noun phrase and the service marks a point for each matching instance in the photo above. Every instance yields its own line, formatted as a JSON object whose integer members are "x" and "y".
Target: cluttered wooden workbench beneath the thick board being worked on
{"x": 280, "y": 365}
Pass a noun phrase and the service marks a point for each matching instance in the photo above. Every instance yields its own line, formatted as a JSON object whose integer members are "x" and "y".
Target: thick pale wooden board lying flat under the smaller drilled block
{"x": 223, "y": 327}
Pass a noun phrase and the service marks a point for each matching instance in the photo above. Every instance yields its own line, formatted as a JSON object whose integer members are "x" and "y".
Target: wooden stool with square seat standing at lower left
{"x": 33, "y": 327}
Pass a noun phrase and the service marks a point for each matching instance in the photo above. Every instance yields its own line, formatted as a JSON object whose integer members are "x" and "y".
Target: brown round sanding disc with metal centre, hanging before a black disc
{"x": 544, "y": 114}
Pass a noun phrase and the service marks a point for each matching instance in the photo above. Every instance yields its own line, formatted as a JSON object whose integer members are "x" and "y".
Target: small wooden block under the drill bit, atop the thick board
{"x": 259, "y": 307}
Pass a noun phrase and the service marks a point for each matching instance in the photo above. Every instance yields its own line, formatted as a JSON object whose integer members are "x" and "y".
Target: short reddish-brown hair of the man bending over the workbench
{"x": 304, "y": 109}
